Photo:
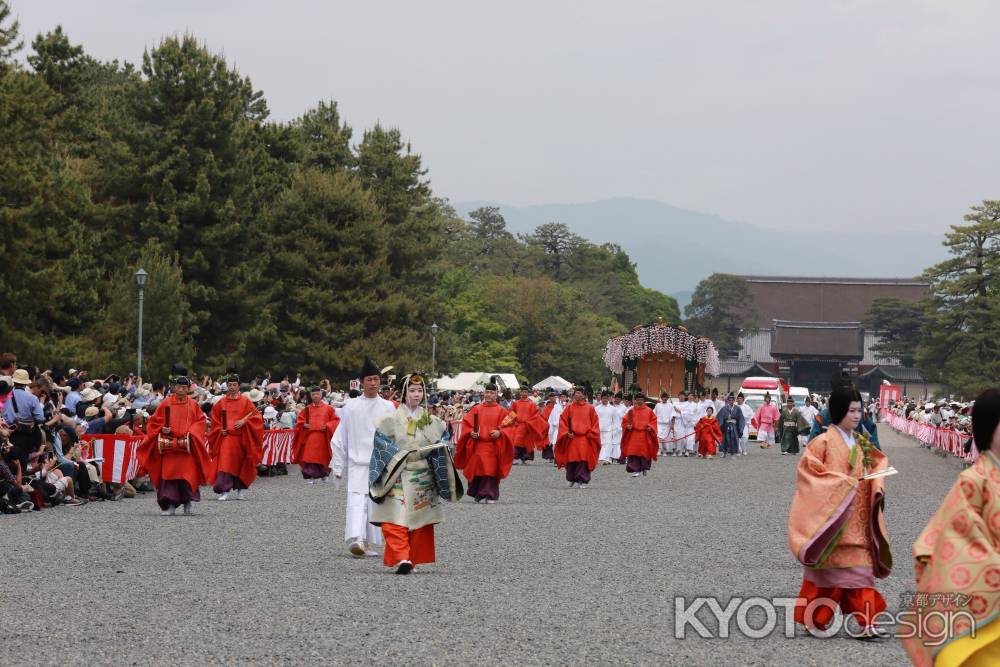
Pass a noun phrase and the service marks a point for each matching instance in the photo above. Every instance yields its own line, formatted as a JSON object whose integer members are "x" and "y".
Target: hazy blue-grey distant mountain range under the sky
{"x": 674, "y": 248}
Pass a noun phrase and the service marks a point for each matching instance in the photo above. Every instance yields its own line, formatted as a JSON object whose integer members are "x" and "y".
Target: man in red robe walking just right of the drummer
{"x": 235, "y": 441}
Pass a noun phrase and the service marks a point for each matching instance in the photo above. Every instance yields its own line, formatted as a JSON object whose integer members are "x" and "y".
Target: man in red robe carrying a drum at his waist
{"x": 173, "y": 451}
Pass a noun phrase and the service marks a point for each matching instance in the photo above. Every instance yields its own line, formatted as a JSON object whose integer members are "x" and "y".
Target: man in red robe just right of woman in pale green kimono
{"x": 485, "y": 453}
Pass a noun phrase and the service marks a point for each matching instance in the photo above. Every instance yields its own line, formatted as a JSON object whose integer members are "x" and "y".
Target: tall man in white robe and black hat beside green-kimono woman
{"x": 353, "y": 442}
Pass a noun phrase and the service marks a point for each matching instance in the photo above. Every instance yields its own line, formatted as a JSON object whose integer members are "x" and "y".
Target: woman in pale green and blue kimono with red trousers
{"x": 411, "y": 471}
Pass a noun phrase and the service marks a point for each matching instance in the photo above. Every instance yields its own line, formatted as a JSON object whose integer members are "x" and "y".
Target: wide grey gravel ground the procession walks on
{"x": 549, "y": 576}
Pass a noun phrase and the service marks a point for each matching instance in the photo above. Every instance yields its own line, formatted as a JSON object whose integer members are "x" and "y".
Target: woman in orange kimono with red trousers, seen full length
{"x": 835, "y": 527}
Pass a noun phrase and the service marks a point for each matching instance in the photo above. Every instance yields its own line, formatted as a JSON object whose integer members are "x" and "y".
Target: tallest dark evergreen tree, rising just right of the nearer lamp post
{"x": 198, "y": 122}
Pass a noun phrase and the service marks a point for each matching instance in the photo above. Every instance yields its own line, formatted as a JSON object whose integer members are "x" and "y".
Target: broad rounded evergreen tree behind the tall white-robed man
{"x": 329, "y": 299}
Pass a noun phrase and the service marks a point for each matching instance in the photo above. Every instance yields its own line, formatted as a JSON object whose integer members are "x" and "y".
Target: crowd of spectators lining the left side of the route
{"x": 44, "y": 413}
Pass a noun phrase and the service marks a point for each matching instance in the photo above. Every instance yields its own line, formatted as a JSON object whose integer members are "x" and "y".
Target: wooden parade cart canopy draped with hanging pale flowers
{"x": 660, "y": 357}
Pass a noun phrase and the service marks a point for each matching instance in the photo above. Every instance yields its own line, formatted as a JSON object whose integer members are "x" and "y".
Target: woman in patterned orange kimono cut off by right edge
{"x": 958, "y": 561}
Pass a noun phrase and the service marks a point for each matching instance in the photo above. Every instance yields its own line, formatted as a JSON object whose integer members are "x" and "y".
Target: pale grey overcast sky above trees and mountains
{"x": 871, "y": 114}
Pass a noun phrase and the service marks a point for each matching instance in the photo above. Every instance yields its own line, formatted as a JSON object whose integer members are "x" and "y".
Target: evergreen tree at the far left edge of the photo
{"x": 47, "y": 276}
